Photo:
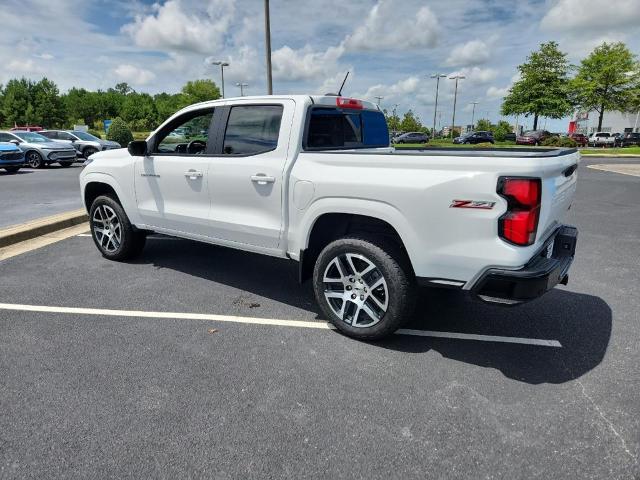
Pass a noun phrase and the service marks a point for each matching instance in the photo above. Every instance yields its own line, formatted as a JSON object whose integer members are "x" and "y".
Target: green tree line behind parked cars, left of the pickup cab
{"x": 27, "y": 102}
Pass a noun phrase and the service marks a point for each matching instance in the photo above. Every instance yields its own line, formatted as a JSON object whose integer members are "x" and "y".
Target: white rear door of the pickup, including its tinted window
{"x": 247, "y": 177}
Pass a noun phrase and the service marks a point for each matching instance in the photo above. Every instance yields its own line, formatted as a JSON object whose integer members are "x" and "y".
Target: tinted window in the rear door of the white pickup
{"x": 252, "y": 129}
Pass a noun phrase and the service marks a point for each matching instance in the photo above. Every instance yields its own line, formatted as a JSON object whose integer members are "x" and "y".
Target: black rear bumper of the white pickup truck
{"x": 544, "y": 271}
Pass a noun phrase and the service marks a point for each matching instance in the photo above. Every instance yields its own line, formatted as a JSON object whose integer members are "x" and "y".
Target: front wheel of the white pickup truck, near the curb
{"x": 112, "y": 231}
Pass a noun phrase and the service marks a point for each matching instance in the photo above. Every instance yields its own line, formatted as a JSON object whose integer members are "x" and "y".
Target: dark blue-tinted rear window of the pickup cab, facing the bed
{"x": 334, "y": 128}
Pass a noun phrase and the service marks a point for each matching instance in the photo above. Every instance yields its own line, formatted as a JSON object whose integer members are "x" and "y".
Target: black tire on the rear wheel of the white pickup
{"x": 391, "y": 262}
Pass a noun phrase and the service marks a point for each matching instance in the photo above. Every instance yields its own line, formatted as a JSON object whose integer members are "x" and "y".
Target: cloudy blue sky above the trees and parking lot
{"x": 389, "y": 46}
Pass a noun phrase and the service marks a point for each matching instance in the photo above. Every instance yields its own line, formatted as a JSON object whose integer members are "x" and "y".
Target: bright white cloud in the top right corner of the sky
{"x": 591, "y": 14}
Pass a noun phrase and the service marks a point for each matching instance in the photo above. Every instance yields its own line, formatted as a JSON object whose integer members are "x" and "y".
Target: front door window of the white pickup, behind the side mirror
{"x": 187, "y": 135}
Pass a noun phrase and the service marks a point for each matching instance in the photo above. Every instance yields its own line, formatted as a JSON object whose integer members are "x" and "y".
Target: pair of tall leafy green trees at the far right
{"x": 608, "y": 79}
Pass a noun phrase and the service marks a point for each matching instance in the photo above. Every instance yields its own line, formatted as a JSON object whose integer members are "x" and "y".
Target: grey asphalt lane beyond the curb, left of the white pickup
{"x": 35, "y": 193}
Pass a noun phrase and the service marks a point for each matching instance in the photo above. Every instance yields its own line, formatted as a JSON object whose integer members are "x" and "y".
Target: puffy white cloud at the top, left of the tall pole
{"x": 180, "y": 27}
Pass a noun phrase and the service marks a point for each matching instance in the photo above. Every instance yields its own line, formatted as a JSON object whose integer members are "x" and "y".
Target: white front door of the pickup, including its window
{"x": 172, "y": 181}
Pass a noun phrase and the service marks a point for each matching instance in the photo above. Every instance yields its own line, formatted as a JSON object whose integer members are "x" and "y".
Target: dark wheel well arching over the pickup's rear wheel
{"x": 332, "y": 226}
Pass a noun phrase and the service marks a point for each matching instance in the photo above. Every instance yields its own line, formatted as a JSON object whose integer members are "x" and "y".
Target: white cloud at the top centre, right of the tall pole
{"x": 389, "y": 27}
